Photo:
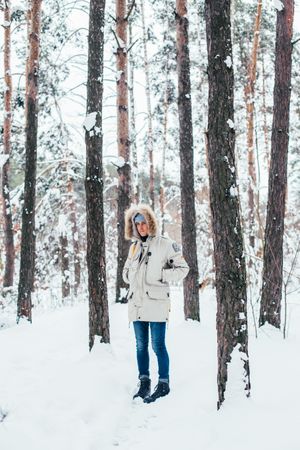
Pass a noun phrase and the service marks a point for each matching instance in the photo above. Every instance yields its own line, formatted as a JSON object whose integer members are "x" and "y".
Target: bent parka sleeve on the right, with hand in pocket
{"x": 177, "y": 265}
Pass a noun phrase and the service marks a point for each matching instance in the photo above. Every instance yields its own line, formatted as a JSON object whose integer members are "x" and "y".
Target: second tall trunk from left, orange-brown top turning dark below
{"x": 31, "y": 129}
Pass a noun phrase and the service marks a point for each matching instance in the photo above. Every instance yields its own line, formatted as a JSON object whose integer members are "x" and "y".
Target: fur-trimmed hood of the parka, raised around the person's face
{"x": 130, "y": 227}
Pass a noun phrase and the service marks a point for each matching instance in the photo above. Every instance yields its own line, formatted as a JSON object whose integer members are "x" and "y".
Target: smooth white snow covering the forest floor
{"x": 54, "y": 394}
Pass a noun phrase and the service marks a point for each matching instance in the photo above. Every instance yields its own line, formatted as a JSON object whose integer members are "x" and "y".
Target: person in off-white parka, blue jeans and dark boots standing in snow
{"x": 153, "y": 262}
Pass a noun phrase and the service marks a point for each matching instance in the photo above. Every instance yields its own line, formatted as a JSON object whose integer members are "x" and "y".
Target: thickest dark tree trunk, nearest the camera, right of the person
{"x": 229, "y": 257}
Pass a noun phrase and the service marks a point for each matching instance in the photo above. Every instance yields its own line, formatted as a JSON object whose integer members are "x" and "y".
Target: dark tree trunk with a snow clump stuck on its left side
{"x": 96, "y": 263}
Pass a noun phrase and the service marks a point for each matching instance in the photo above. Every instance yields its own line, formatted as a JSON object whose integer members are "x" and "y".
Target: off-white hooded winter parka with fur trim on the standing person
{"x": 149, "y": 268}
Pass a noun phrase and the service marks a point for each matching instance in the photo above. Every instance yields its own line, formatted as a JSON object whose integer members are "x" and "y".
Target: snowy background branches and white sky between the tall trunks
{"x": 62, "y": 110}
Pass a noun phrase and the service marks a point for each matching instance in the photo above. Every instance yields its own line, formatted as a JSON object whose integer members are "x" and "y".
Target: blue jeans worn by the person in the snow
{"x": 158, "y": 332}
